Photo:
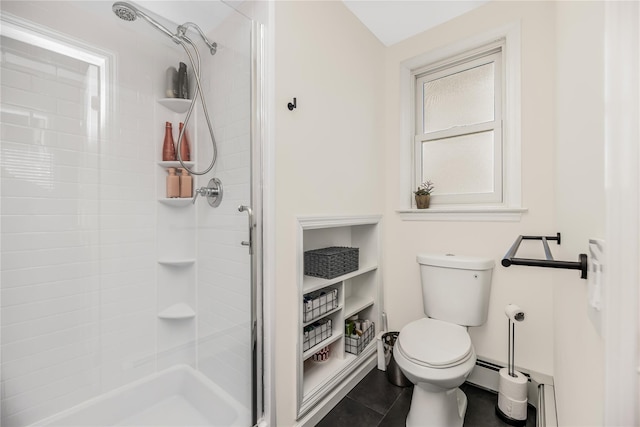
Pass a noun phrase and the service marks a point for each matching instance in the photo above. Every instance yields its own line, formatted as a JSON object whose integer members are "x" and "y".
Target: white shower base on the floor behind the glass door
{"x": 178, "y": 396}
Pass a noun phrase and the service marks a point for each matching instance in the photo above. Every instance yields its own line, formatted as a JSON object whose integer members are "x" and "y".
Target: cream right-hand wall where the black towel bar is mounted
{"x": 580, "y": 204}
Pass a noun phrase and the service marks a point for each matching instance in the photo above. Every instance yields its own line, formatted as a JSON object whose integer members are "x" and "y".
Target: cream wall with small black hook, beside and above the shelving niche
{"x": 328, "y": 153}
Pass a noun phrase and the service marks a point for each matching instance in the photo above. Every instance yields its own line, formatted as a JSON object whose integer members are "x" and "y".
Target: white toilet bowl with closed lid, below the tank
{"x": 437, "y": 357}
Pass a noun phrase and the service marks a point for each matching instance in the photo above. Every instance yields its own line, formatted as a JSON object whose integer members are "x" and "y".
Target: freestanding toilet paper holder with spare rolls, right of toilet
{"x": 512, "y": 388}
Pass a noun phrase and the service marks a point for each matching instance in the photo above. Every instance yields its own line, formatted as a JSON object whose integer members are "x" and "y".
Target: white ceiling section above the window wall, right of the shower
{"x": 395, "y": 20}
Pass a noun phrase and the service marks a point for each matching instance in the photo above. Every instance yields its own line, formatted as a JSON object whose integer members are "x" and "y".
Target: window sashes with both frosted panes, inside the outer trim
{"x": 458, "y": 128}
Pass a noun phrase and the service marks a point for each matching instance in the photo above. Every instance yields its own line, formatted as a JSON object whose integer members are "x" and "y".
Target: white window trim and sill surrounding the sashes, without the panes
{"x": 510, "y": 209}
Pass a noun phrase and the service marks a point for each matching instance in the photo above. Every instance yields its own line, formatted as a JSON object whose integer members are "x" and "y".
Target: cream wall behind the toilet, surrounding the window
{"x": 529, "y": 287}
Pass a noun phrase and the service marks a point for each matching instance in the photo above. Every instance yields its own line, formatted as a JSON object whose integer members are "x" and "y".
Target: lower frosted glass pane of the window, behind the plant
{"x": 460, "y": 165}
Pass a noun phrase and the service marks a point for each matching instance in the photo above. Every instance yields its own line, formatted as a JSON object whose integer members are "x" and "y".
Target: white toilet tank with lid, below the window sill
{"x": 456, "y": 288}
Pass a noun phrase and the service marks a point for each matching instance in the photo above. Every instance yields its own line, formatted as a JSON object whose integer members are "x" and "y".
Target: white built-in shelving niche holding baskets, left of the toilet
{"x": 358, "y": 294}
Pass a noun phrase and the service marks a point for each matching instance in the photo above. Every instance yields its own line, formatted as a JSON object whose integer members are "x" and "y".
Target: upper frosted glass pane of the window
{"x": 464, "y": 98}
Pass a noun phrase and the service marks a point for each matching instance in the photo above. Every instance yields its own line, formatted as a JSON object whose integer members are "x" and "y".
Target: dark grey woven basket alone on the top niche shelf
{"x": 330, "y": 262}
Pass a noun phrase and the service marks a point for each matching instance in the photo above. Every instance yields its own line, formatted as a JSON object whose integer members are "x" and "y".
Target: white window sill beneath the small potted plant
{"x": 457, "y": 213}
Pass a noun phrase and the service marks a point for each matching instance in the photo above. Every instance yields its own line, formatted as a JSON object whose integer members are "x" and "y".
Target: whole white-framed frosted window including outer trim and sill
{"x": 461, "y": 127}
